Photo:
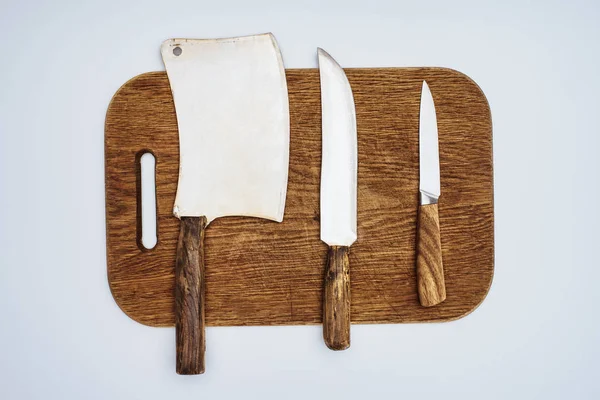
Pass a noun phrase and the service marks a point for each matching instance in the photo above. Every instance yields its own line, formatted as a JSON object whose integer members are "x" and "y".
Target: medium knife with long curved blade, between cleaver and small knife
{"x": 338, "y": 197}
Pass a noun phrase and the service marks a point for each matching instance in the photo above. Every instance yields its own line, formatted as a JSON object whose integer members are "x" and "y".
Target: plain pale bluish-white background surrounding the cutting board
{"x": 537, "y": 334}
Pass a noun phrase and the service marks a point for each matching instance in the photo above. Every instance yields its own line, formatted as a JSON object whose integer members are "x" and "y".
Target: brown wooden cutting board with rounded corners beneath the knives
{"x": 265, "y": 273}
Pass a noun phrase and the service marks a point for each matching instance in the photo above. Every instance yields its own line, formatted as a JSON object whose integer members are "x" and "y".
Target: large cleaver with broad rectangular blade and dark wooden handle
{"x": 232, "y": 110}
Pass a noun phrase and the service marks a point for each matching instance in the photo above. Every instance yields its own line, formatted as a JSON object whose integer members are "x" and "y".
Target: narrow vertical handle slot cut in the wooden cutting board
{"x": 147, "y": 223}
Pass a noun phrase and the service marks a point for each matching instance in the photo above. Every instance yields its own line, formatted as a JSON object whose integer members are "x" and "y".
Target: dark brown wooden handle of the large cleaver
{"x": 189, "y": 296}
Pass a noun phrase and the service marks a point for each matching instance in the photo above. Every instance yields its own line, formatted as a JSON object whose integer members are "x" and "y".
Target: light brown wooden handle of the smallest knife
{"x": 430, "y": 269}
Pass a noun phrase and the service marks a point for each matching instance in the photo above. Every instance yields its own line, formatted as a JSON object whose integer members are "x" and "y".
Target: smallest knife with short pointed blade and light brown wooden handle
{"x": 430, "y": 270}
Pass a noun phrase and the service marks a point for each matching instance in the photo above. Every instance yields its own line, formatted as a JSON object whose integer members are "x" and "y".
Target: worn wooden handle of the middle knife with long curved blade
{"x": 336, "y": 299}
